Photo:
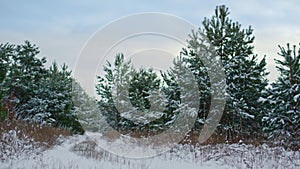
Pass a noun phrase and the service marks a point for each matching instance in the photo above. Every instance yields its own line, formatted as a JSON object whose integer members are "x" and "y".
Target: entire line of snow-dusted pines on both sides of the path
{"x": 253, "y": 107}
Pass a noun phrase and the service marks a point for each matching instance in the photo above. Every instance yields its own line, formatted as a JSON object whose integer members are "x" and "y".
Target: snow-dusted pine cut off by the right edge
{"x": 283, "y": 118}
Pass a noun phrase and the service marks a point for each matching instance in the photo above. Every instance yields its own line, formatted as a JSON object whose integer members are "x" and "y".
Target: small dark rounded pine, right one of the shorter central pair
{"x": 144, "y": 94}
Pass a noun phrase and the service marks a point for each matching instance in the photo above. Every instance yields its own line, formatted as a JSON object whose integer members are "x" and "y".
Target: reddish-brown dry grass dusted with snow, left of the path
{"x": 18, "y": 138}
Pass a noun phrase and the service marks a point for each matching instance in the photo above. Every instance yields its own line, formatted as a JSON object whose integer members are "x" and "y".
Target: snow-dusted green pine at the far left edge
{"x": 23, "y": 72}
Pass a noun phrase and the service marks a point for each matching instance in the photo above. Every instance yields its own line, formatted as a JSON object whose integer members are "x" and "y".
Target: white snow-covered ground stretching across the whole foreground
{"x": 81, "y": 152}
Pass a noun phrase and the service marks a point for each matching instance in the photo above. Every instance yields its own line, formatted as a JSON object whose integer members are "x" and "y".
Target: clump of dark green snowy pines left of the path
{"x": 32, "y": 92}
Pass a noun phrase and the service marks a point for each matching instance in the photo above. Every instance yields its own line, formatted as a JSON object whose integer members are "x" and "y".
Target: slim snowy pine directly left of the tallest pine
{"x": 181, "y": 91}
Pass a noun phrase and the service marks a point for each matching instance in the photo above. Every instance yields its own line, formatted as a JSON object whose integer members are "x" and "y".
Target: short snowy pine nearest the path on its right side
{"x": 113, "y": 91}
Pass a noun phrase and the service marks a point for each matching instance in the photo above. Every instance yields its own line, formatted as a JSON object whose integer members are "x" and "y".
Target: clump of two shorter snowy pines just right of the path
{"x": 130, "y": 99}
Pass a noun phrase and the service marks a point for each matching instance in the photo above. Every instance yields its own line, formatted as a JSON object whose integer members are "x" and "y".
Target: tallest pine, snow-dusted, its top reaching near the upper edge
{"x": 245, "y": 76}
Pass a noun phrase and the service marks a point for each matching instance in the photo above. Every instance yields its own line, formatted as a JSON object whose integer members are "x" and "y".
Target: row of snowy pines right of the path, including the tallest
{"x": 254, "y": 108}
